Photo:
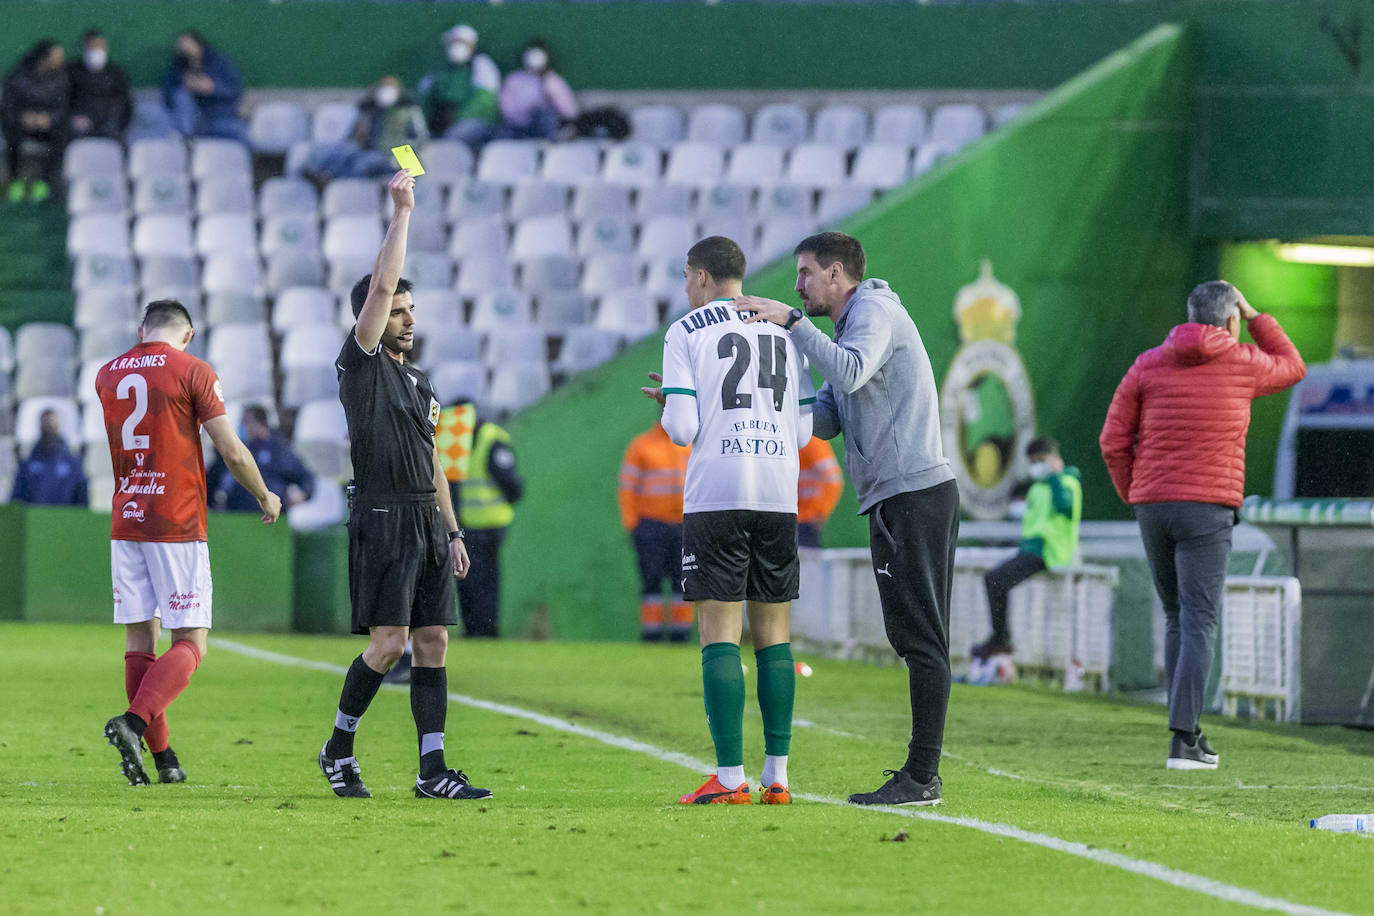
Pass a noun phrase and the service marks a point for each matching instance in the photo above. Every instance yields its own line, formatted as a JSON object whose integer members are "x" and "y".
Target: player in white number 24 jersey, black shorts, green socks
{"x": 741, "y": 396}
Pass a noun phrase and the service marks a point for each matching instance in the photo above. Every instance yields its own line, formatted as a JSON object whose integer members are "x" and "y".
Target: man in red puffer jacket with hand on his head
{"x": 1174, "y": 443}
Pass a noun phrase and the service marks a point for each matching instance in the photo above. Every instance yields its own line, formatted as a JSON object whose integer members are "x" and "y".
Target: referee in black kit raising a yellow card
{"x": 405, "y": 543}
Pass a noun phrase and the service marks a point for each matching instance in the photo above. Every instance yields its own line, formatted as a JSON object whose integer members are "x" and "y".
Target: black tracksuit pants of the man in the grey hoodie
{"x": 913, "y": 539}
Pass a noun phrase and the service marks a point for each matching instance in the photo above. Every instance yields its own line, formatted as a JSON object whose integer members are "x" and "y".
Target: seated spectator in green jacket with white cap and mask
{"x": 460, "y": 97}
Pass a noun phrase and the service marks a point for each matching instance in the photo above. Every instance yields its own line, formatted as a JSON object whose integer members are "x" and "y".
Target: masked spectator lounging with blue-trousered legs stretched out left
{"x": 385, "y": 120}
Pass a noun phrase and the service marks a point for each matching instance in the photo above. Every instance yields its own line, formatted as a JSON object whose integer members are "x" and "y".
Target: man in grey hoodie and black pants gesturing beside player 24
{"x": 881, "y": 393}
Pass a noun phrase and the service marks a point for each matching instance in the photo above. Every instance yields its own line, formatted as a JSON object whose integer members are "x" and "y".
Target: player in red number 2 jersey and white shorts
{"x": 156, "y": 399}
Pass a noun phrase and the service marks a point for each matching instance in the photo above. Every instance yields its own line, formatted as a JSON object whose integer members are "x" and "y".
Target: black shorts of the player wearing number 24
{"x": 740, "y": 556}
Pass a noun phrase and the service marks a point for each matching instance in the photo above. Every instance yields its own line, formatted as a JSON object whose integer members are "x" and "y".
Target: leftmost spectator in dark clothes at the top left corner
{"x": 34, "y": 112}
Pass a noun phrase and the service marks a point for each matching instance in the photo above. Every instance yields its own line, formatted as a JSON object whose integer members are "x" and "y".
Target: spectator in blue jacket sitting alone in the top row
{"x": 203, "y": 91}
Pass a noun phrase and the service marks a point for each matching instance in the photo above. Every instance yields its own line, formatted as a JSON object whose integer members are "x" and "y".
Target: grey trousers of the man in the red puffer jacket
{"x": 1189, "y": 546}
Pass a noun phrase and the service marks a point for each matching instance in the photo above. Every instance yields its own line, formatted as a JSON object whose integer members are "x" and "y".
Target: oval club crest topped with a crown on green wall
{"x": 986, "y": 404}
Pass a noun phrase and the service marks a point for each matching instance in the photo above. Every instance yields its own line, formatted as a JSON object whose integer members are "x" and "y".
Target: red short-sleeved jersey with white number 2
{"x": 156, "y": 398}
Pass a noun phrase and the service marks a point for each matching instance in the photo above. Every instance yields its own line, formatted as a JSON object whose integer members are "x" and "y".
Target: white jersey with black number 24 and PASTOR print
{"x": 747, "y": 393}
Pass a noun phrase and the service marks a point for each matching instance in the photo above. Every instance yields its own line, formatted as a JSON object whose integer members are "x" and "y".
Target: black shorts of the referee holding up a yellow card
{"x": 399, "y": 572}
